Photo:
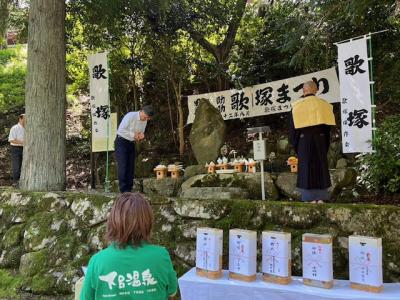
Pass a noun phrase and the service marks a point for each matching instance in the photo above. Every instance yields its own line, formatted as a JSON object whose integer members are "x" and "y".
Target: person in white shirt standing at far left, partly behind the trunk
{"x": 16, "y": 140}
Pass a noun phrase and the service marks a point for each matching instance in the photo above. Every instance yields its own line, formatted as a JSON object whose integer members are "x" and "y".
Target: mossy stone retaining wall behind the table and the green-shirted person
{"x": 46, "y": 237}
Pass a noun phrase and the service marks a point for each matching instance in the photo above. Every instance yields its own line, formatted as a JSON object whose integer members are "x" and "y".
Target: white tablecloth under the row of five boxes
{"x": 193, "y": 287}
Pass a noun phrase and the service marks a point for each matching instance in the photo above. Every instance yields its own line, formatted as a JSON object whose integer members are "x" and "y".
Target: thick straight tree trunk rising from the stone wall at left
{"x": 43, "y": 165}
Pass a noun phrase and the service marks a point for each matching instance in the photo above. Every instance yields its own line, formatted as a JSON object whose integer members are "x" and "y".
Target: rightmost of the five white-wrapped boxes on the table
{"x": 365, "y": 262}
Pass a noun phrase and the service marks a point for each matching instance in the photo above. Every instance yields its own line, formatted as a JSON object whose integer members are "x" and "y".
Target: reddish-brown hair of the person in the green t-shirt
{"x": 130, "y": 221}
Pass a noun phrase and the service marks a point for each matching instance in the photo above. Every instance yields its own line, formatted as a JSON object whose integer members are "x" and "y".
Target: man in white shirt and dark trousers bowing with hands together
{"x": 130, "y": 130}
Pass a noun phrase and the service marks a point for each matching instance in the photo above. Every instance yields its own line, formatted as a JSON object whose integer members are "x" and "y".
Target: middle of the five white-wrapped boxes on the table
{"x": 276, "y": 257}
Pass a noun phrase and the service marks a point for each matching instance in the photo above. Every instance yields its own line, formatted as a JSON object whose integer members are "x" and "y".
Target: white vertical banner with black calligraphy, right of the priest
{"x": 355, "y": 95}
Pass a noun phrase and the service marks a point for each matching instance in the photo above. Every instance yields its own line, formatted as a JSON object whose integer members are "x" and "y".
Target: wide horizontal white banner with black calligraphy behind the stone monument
{"x": 267, "y": 98}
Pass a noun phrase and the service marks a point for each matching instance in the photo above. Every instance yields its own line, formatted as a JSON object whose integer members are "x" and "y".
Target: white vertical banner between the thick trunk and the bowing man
{"x": 100, "y": 103}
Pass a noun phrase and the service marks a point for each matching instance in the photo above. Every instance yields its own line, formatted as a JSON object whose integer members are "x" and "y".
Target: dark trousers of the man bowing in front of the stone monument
{"x": 125, "y": 156}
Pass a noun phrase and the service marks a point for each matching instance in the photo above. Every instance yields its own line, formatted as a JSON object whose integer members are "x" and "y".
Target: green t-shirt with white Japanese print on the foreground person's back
{"x": 144, "y": 272}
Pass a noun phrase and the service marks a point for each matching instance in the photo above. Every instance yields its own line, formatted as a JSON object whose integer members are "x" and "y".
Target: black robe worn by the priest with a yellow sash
{"x": 311, "y": 145}
